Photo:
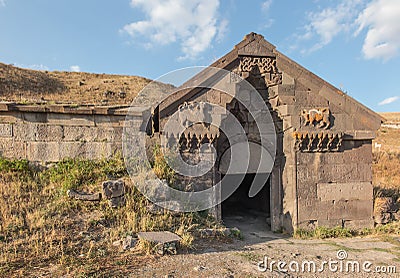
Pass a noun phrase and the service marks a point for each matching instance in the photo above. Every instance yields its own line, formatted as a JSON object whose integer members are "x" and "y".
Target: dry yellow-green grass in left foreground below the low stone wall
{"x": 44, "y": 232}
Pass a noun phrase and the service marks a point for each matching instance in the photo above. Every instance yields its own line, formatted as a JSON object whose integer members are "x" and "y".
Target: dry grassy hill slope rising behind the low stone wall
{"x": 33, "y": 86}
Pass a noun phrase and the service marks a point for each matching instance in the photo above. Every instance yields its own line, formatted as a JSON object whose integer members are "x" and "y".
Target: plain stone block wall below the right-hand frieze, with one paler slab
{"x": 335, "y": 189}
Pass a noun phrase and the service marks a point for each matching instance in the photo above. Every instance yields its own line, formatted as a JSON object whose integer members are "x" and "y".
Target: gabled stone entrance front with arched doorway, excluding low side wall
{"x": 322, "y": 170}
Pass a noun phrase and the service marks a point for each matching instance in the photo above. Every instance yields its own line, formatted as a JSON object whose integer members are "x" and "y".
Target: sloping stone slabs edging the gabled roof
{"x": 255, "y": 45}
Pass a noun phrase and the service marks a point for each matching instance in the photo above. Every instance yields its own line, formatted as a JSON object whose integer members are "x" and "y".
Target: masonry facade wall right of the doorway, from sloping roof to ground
{"x": 325, "y": 184}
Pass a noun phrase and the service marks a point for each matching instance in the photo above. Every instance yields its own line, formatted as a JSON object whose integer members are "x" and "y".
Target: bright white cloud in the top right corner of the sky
{"x": 381, "y": 19}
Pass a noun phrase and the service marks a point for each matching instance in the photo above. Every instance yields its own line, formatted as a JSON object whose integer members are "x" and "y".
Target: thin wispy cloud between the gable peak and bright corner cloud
{"x": 330, "y": 22}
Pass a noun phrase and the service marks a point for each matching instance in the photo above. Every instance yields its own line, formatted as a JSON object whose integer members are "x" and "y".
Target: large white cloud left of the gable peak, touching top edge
{"x": 192, "y": 23}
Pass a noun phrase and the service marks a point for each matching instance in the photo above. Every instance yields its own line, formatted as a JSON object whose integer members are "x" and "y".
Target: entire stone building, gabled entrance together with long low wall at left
{"x": 321, "y": 174}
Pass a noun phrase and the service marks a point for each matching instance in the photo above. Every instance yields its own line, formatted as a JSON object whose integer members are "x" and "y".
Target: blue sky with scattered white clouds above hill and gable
{"x": 353, "y": 44}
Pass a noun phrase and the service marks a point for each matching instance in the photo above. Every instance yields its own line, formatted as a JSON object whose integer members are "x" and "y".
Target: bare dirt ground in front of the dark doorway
{"x": 242, "y": 257}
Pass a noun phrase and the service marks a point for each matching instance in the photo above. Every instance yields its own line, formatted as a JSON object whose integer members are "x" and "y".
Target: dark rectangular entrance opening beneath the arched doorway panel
{"x": 239, "y": 207}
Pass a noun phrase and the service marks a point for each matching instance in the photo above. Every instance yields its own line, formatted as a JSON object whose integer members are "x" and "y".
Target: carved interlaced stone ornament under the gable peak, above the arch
{"x": 263, "y": 66}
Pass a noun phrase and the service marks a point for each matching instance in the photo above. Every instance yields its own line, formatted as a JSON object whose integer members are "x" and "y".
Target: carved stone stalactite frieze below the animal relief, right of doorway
{"x": 317, "y": 141}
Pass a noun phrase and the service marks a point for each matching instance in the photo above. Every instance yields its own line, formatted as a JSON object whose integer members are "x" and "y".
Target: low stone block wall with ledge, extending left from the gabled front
{"x": 49, "y": 133}
